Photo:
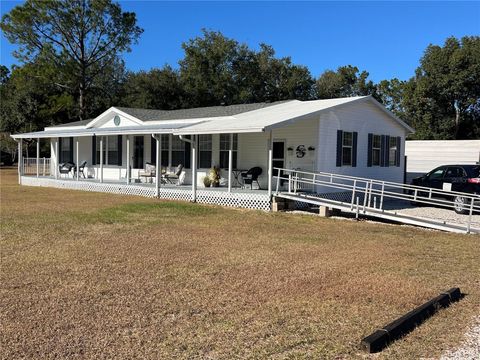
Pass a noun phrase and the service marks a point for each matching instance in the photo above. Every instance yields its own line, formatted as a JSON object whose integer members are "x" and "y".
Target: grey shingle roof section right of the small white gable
{"x": 194, "y": 113}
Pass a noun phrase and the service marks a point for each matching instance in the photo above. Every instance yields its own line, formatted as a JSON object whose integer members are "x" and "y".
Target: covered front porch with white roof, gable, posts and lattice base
{"x": 132, "y": 151}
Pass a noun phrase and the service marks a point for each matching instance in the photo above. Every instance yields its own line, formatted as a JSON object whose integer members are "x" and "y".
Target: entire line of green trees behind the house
{"x": 72, "y": 69}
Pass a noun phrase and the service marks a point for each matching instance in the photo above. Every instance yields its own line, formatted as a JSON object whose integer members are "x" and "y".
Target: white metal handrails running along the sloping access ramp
{"x": 369, "y": 195}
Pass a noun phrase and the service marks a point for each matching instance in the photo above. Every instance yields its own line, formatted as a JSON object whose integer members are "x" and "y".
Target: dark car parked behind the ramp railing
{"x": 461, "y": 178}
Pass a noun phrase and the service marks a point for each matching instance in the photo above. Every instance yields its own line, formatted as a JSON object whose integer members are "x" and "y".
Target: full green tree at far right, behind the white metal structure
{"x": 442, "y": 98}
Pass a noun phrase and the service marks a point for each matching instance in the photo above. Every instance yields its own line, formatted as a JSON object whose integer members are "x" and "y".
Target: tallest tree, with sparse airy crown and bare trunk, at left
{"x": 80, "y": 37}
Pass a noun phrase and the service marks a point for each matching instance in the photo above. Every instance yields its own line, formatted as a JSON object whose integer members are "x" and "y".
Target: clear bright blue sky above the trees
{"x": 385, "y": 38}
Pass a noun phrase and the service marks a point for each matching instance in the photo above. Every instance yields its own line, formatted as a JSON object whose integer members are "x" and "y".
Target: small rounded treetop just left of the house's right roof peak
{"x": 346, "y": 81}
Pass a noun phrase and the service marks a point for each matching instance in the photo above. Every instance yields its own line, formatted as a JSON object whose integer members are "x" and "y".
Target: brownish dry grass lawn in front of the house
{"x": 100, "y": 275}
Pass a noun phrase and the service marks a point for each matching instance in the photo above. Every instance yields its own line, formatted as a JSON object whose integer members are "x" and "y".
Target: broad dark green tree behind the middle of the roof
{"x": 216, "y": 70}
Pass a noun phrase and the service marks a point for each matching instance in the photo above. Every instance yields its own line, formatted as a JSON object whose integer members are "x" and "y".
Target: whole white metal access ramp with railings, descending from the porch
{"x": 375, "y": 198}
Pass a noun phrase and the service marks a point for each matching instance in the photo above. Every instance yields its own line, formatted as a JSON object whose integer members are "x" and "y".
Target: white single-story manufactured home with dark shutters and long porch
{"x": 140, "y": 151}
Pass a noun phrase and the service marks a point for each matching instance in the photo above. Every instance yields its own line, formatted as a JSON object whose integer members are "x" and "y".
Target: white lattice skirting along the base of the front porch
{"x": 258, "y": 201}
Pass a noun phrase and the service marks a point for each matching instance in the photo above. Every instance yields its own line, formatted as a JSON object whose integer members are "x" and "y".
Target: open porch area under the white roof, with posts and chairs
{"x": 154, "y": 161}
